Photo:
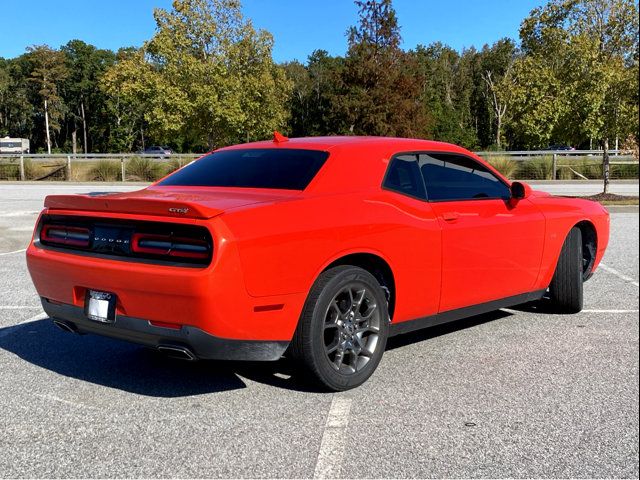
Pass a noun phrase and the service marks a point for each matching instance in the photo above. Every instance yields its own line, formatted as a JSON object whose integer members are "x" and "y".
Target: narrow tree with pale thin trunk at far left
{"x": 47, "y": 74}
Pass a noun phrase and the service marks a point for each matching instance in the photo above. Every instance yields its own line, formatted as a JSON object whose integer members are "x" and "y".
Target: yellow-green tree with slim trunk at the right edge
{"x": 586, "y": 52}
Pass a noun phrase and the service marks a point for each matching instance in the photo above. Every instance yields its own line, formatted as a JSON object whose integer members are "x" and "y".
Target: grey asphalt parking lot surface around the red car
{"x": 515, "y": 393}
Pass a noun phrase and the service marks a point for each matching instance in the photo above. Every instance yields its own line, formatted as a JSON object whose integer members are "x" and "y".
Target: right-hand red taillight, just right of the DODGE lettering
{"x": 168, "y": 245}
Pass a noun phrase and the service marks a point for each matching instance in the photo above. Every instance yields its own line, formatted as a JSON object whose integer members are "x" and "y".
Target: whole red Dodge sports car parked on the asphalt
{"x": 321, "y": 247}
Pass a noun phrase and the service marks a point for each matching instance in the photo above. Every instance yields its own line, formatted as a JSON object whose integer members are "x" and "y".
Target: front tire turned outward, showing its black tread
{"x": 566, "y": 289}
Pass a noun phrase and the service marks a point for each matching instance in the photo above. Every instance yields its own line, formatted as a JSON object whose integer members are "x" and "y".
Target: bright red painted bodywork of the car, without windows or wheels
{"x": 271, "y": 245}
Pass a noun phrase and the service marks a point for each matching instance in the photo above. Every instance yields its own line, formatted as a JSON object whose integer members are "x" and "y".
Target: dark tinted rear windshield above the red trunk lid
{"x": 288, "y": 169}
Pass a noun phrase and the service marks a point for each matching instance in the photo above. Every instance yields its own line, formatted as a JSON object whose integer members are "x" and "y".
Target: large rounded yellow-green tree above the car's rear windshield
{"x": 207, "y": 76}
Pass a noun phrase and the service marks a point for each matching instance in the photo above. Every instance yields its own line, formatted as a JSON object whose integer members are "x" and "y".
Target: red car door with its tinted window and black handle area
{"x": 491, "y": 247}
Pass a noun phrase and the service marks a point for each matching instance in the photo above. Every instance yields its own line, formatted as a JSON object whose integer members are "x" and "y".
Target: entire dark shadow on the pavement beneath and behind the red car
{"x": 140, "y": 370}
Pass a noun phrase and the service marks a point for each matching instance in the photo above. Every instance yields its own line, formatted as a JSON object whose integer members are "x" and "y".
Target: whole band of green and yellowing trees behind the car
{"x": 207, "y": 78}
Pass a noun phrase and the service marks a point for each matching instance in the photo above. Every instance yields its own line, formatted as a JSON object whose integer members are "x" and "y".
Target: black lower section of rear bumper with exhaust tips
{"x": 202, "y": 344}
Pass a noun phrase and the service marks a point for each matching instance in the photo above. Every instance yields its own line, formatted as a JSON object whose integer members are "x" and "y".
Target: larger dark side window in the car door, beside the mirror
{"x": 454, "y": 177}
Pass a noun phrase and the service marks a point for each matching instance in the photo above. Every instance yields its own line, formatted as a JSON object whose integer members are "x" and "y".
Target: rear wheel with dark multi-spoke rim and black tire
{"x": 343, "y": 328}
